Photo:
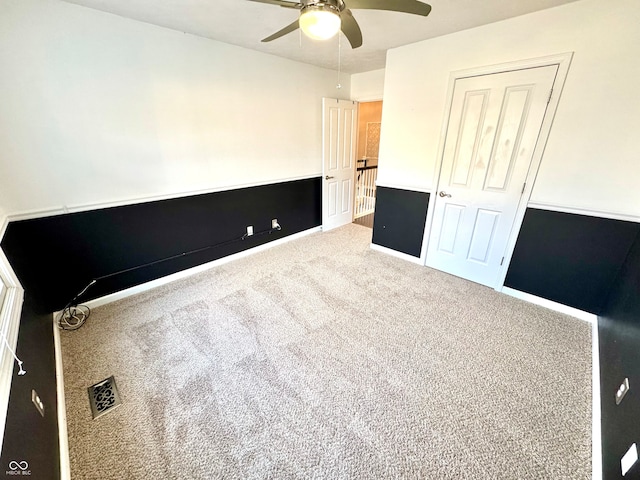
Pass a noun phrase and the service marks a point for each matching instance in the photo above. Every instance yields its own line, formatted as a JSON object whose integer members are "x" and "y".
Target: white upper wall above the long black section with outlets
{"x": 97, "y": 108}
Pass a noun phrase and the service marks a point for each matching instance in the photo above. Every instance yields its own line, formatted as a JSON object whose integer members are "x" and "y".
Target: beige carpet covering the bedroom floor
{"x": 322, "y": 358}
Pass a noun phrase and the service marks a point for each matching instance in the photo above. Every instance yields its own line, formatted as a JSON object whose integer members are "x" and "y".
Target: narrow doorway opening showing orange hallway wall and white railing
{"x": 368, "y": 145}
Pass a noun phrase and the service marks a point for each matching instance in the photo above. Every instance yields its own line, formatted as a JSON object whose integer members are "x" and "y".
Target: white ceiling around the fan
{"x": 245, "y": 23}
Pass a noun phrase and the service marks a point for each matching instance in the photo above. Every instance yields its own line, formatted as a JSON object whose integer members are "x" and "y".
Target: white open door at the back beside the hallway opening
{"x": 338, "y": 154}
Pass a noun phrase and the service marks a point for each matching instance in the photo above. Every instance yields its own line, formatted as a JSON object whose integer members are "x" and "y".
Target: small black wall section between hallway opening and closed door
{"x": 399, "y": 219}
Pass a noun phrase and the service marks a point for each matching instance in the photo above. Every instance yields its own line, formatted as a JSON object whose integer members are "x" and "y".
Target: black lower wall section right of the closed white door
{"x": 570, "y": 259}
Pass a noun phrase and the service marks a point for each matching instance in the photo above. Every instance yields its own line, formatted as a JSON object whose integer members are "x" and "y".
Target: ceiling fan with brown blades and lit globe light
{"x": 322, "y": 19}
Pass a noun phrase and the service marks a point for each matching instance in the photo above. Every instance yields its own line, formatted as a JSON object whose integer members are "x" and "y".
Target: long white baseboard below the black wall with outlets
{"x": 192, "y": 271}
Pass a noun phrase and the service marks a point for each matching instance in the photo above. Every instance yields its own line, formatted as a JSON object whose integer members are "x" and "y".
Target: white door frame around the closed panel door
{"x": 563, "y": 61}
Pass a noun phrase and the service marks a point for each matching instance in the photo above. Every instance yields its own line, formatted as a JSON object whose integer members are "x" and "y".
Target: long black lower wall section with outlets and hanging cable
{"x": 56, "y": 257}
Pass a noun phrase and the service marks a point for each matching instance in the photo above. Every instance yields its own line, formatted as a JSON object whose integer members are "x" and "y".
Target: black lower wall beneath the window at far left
{"x": 29, "y": 437}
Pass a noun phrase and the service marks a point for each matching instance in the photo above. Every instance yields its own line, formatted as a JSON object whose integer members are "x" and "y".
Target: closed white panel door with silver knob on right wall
{"x": 491, "y": 135}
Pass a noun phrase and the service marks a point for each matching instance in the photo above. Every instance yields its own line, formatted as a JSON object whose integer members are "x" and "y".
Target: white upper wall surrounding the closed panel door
{"x": 591, "y": 160}
